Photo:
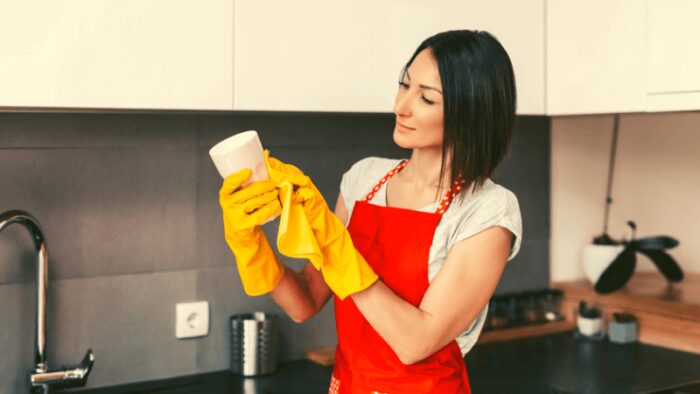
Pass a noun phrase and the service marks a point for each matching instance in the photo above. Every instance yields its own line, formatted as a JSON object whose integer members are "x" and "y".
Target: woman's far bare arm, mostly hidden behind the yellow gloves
{"x": 302, "y": 295}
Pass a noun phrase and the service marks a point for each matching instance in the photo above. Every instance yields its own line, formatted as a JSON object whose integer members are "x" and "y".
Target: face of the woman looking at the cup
{"x": 418, "y": 106}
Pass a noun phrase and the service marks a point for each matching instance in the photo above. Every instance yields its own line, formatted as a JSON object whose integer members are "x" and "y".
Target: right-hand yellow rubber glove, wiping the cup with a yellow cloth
{"x": 343, "y": 267}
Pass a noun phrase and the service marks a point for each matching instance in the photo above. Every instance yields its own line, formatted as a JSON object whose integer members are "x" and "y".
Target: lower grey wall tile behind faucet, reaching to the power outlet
{"x": 127, "y": 320}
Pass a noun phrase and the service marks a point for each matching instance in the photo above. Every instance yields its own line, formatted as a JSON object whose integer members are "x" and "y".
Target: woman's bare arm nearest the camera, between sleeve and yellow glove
{"x": 453, "y": 300}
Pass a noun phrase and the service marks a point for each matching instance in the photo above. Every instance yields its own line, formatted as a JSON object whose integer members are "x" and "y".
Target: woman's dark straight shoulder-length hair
{"x": 479, "y": 97}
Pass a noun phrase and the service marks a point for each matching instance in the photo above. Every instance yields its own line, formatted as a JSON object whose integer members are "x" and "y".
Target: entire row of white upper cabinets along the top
{"x": 569, "y": 57}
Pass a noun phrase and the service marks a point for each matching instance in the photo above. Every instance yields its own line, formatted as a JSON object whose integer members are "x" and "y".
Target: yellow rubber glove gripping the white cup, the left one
{"x": 244, "y": 211}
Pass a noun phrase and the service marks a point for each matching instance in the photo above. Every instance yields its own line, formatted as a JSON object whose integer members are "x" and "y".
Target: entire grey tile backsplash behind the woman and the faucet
{"x": 129, "y": 207}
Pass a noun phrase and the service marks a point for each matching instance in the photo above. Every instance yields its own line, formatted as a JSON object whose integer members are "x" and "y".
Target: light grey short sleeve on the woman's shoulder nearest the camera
{"x": 498, "y": 207}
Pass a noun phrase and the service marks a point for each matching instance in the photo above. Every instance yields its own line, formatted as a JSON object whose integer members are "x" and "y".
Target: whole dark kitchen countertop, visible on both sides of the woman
{"x": 556, "y": 363}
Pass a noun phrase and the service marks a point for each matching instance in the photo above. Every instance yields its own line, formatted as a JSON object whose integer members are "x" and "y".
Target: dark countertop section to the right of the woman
{"x": 560, "y": 363}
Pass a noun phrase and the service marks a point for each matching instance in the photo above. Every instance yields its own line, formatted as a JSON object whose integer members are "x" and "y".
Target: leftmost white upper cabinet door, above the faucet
{"x": 158, "y": 54}
